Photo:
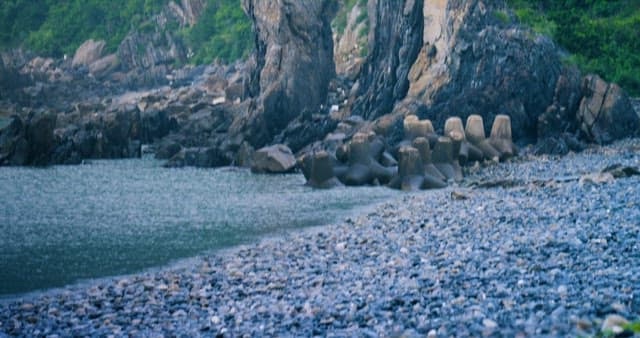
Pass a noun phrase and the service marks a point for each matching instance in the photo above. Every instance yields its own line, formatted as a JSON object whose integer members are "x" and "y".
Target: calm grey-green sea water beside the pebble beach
{"x": 64, "y": 224}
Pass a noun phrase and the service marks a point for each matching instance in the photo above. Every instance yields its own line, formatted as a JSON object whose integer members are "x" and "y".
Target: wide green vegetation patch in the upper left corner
{"x": 54, "y": 28}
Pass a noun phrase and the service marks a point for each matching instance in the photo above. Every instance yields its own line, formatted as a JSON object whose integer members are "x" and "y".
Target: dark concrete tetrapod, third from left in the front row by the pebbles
{"x": 410, "y": 175}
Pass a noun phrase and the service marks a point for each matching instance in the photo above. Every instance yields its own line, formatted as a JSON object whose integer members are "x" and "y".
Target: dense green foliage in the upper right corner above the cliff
{"x": 602, "y": 36}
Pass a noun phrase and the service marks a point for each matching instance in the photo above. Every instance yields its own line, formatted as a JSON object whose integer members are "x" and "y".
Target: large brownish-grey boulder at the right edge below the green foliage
{"x": 606, "y": 113}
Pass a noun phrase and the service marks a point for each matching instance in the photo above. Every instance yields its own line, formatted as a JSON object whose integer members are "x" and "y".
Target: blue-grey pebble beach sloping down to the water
{"x": 549, "y": 259}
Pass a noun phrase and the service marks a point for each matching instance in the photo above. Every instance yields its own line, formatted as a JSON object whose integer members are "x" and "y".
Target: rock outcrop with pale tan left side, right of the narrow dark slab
{"x": 471, "y": 62}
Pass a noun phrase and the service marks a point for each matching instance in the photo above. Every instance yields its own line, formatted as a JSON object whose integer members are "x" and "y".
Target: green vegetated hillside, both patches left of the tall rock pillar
{"x": 58, "y": 27}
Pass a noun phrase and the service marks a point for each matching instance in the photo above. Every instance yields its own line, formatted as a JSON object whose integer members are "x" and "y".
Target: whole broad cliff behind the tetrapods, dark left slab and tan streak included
{"x": 438, "y": 59}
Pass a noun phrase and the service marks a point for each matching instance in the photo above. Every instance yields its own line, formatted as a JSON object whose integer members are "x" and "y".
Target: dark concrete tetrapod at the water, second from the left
{"x": 362, "y": 167}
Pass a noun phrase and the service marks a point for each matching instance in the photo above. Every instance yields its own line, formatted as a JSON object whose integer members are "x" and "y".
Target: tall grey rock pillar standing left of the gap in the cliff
{"x": 294, "y": 62}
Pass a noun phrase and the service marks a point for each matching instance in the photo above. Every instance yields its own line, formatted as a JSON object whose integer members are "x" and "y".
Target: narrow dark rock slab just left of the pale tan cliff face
{"x": 395, "y": 40}
